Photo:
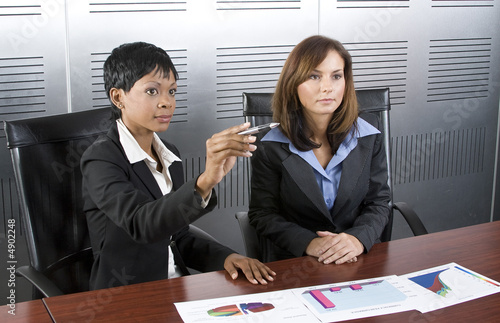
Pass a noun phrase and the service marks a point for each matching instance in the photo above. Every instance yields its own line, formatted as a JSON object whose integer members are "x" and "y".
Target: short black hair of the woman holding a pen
{"x": 130, "y": 62}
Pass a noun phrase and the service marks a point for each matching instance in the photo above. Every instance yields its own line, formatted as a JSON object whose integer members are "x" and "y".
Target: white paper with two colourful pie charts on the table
{"x": 280, "y": 306}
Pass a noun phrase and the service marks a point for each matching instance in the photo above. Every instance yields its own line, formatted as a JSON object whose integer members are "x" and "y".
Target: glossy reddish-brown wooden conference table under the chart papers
{"x": 475, "y": 247}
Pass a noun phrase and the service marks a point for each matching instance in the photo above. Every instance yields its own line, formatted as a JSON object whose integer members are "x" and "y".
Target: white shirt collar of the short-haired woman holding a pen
{"x": 135, "y": 153}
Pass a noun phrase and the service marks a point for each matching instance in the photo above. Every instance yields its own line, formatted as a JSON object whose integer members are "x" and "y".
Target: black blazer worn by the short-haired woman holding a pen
{"x": 130, "y": 221}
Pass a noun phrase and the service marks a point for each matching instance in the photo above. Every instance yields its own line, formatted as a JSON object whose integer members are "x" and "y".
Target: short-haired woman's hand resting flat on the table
{"x": 255, "y": 271}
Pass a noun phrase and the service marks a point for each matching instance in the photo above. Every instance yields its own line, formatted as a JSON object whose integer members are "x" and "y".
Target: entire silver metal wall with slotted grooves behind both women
{"x": 439, "y": 58}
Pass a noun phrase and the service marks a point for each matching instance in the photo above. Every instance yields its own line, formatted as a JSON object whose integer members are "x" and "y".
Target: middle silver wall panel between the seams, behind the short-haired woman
{"x": 221, "y": 49}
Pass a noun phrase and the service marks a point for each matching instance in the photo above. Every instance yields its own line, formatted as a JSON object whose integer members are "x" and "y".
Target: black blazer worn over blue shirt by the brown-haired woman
{"x": 287, "y": 206}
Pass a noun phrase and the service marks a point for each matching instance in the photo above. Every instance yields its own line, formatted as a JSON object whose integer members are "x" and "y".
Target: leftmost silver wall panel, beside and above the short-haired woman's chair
{"x": 33, "y": 82}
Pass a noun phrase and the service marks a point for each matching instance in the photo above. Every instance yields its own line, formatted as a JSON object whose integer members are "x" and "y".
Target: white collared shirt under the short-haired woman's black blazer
{"x": 135, "y": 154}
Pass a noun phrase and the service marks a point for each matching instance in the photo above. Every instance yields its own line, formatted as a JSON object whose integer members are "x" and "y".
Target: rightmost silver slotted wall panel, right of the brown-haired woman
{"x": 443, "y": 76}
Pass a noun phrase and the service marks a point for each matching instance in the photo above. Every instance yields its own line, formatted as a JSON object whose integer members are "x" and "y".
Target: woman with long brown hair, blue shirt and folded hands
{"x": 319, "y": 180}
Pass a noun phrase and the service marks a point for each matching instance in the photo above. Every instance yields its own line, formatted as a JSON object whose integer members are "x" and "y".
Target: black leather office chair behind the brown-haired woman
{"x": 257, "y": 110}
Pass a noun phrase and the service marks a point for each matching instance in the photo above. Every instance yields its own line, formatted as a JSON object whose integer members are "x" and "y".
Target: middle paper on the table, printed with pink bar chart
{"x": 357, "y": 299}
